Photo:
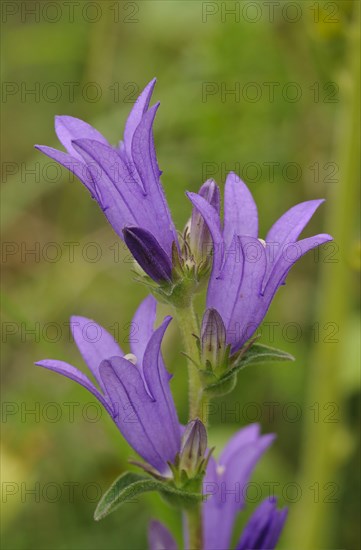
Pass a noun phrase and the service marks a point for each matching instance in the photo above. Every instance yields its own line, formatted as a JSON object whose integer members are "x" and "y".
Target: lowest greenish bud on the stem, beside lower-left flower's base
{"x": 194, "y": 446}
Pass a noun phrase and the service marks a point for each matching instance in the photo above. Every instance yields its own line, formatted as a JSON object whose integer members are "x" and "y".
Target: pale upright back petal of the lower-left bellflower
{"x": 142, "y": 327}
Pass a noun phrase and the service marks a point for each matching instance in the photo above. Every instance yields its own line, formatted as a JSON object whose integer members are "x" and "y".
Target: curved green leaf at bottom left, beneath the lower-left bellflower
{"x": 129, "y": 485}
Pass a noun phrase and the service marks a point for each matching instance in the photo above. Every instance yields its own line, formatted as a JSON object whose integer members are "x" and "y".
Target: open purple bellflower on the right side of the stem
{"x": 247, "y": 271}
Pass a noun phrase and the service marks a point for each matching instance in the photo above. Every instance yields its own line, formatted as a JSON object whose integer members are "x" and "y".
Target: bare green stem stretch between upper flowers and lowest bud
{"x": 188, "y": 326}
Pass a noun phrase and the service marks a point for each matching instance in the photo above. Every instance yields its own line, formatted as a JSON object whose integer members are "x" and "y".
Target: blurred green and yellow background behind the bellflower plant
{"x": 90, "y": 60}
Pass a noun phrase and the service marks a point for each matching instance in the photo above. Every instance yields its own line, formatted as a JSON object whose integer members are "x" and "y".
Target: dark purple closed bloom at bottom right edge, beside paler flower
{"x": 264, "y": 527}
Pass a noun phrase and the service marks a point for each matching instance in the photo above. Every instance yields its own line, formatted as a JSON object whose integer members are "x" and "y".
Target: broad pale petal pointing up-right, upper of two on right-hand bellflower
{"x": 287, "y": 229}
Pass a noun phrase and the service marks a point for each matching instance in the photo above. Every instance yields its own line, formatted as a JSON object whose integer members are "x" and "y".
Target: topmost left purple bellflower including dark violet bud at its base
{"x": 124, "y": 181}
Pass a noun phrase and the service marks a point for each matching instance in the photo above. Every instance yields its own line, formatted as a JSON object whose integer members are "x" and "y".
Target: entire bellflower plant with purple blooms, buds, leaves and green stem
{"x": 241, "y": 272}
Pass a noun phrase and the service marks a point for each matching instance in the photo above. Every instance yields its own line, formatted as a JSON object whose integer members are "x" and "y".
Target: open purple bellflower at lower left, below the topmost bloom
{"x": 133, "y": 388}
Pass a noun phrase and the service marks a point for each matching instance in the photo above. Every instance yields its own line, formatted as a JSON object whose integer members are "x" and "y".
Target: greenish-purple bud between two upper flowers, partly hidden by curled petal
{"x": 200, "y": 240}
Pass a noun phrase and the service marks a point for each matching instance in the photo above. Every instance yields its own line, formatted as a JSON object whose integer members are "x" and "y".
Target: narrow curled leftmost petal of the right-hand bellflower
{"x": 211, "y": 217}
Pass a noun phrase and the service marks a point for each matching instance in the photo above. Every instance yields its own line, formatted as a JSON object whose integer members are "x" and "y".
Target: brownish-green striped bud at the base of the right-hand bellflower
{"x": 213, "y": 339}
